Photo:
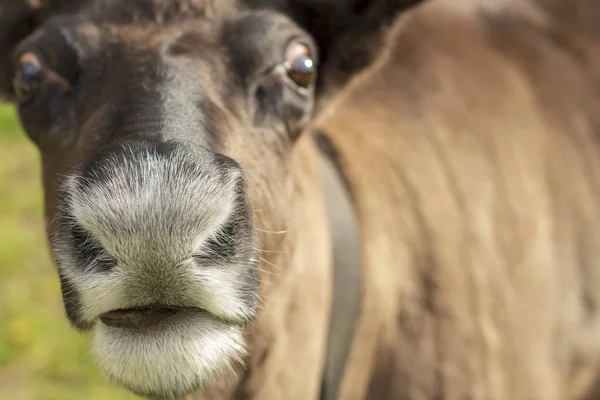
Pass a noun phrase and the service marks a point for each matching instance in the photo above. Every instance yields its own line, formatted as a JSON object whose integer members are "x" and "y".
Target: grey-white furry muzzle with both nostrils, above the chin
{"x": 153, "y": 233}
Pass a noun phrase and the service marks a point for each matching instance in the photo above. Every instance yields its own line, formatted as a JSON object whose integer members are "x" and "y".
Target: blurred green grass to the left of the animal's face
{"x": 41, "y": 356}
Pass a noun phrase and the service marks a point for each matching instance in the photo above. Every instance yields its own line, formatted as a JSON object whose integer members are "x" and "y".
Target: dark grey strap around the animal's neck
{"x": 347, "y": 259}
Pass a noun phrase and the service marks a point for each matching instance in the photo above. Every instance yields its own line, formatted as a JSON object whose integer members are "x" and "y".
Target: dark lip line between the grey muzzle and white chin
{"x": 133, "y": 318}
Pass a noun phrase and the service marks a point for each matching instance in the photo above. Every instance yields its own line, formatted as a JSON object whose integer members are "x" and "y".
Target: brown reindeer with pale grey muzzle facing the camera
{"x": 180, "y": 149}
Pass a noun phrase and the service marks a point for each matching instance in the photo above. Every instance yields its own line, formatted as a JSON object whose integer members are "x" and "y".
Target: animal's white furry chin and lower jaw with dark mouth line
{"x": 166, "y": 352}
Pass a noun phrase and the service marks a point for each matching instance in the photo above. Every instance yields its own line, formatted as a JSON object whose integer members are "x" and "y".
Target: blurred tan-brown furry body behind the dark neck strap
{"x": 476, "y": 187}
